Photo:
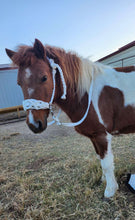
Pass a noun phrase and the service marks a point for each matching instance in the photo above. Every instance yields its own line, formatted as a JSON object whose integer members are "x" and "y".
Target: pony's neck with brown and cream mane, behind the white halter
{"x": 78, "y": 73}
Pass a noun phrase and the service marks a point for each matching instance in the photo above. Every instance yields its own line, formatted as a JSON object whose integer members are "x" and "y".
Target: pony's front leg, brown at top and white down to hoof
{"x": 102, "y": 145}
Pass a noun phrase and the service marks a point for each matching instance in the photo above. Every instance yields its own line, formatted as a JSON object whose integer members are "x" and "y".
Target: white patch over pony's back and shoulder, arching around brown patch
{"x": 125, "y": 82}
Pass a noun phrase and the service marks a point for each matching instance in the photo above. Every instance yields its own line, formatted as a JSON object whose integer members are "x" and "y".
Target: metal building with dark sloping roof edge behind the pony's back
{"x": 124, "y": 56}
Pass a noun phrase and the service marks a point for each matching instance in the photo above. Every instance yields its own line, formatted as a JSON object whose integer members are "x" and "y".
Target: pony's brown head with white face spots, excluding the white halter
{"x": 35, "y": 79}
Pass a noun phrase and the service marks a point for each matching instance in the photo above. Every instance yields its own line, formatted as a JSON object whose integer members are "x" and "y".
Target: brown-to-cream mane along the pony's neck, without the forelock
{"x": 77, "y": 70}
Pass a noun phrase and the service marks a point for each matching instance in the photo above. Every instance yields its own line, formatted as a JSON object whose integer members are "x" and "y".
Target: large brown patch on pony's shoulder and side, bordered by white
{"x": 117, "y": 118}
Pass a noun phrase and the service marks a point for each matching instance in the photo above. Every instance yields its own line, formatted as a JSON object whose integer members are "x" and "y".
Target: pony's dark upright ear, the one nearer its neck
{"x": 39, "y": 49}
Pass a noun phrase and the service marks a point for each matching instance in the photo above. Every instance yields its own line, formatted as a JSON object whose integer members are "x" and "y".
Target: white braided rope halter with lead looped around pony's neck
{"x": 30, "y": 104}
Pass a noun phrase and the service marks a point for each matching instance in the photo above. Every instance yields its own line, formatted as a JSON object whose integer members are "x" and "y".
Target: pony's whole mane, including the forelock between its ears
{"x": 77, "y": 70}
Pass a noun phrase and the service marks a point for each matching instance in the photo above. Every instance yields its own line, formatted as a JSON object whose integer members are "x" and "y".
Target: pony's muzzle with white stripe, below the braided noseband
{"x": 36, "y": 124}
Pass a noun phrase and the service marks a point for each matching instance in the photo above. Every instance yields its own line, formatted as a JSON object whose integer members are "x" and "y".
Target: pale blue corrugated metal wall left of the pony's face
{"x": 10, "y": 93}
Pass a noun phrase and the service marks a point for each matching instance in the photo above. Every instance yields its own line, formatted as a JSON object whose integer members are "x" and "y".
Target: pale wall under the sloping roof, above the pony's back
{"x": 124, "y": 58}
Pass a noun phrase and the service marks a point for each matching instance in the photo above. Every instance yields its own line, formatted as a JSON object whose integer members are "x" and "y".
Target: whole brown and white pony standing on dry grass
{"x": 112, "y": 108}
